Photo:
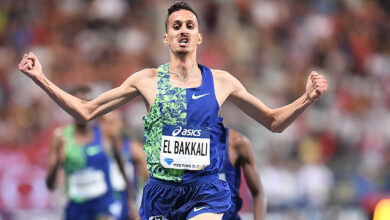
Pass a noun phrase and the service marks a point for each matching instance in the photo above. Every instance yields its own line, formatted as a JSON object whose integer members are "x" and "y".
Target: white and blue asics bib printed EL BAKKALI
{"x": 185, "y": 147}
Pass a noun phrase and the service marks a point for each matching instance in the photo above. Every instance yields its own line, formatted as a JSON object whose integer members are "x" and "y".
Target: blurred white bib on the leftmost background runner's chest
{"x": 87, "y": 184}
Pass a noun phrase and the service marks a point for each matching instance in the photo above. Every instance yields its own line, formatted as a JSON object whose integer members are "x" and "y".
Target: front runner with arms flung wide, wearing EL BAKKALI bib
{"x": 184, "y": 136}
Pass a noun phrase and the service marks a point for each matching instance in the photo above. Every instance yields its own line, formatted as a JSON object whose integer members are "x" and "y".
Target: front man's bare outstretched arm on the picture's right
{"x": 278, "y": 119}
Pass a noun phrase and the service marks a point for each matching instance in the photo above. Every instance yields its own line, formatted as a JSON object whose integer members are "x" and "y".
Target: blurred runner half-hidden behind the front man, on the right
{"x": 239, "y": 154}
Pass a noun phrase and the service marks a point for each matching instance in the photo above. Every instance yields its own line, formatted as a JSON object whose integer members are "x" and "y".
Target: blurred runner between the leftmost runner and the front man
{"x": 133, "y": 158}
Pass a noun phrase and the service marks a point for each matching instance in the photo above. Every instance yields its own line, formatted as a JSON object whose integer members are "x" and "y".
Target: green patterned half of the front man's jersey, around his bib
{"x": 170, "y": 107}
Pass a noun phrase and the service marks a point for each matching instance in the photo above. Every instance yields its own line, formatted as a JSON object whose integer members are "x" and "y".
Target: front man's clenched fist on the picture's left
{"x": 30, "y": 66}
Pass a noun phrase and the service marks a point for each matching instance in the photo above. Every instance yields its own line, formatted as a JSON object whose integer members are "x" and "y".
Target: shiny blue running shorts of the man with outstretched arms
{"x": 167, "y": 200}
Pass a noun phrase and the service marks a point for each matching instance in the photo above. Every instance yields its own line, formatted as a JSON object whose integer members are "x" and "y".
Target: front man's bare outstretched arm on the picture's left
{"x": 81, "y": 110}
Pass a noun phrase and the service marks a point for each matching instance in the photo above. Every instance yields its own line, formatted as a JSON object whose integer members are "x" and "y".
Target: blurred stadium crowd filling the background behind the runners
{"x": 332, "y": 163}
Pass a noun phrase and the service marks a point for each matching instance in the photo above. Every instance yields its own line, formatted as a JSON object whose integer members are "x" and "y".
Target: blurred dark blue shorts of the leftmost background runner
{"x": 102, "y": 206}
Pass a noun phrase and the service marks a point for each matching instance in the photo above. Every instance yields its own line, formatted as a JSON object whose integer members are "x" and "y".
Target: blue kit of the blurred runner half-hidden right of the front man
{"x": 232, "y": 175}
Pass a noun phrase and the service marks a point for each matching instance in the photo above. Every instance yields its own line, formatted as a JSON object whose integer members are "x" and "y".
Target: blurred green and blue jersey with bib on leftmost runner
{"x": 86, "y": 167}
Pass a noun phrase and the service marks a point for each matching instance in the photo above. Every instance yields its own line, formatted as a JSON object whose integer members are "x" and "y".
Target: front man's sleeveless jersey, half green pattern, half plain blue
{"x": 185, "y": 112}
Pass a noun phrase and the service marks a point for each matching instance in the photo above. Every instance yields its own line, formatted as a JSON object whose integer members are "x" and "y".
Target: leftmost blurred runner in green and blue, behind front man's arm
{"x": 81, "y": 150}
